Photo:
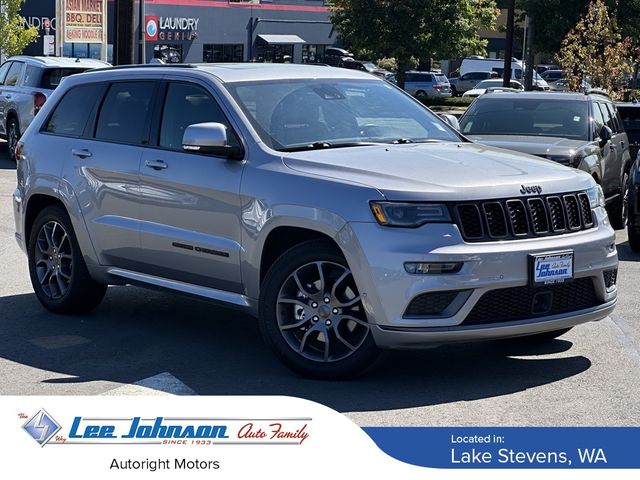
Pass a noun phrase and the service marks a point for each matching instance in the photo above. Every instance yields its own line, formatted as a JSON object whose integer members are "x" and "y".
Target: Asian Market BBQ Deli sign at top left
{"x": 85, "y": 21}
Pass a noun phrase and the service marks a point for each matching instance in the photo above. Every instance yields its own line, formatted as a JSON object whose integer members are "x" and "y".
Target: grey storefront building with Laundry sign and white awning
{"x": 197, "y": 31}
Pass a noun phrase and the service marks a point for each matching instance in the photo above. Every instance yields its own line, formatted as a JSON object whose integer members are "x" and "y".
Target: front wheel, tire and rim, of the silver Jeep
{"x": 312, "y": 316}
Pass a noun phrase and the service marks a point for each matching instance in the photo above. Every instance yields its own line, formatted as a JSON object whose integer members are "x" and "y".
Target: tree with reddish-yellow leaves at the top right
{"x": 595, "y": 49}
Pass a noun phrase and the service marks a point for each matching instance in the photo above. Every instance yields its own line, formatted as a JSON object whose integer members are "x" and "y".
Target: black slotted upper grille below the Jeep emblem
{"x": 510, "y": 219}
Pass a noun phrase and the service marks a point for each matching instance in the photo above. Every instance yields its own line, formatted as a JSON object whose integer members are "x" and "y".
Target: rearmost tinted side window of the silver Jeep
{"x": 72, "y": 112}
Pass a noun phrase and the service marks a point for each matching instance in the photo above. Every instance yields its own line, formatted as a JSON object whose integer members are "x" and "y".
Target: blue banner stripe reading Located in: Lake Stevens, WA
{"x": 511, "y": 447}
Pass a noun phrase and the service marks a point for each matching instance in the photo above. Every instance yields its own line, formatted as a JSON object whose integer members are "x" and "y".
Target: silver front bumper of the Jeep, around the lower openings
{"x": 377, "y": 255}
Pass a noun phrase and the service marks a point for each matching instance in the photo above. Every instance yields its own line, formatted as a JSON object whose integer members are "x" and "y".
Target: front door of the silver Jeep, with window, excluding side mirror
{"x": 190, "y": 202}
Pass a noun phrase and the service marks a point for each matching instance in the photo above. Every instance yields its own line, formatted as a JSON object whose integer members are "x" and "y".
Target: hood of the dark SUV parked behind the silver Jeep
{"x": 533, "y": 145}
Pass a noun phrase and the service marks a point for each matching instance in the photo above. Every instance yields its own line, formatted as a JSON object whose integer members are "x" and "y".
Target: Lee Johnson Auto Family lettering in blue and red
{"x": 186, "y": 431}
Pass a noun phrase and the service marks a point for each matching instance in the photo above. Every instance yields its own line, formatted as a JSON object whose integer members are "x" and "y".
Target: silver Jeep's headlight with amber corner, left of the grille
{"x": 397, "y": 214}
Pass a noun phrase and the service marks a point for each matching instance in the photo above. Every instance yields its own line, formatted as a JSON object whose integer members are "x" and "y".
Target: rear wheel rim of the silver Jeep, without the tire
{"x": 53, "y": 260}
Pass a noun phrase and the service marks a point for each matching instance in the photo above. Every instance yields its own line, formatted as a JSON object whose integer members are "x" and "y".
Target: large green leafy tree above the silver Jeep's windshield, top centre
{"x": 409, "y": 30}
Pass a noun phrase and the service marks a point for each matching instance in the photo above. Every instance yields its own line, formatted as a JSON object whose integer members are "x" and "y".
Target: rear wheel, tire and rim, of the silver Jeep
{"x": 59, "y": 275}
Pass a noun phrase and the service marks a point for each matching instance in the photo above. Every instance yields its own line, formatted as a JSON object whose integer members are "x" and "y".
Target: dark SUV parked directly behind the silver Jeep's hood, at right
{"x": 576, "y": 130}
